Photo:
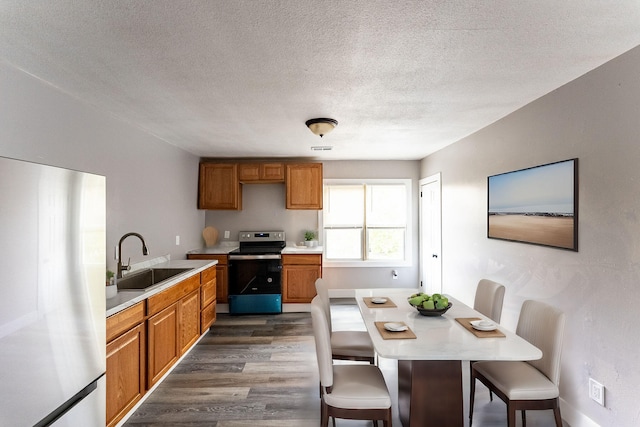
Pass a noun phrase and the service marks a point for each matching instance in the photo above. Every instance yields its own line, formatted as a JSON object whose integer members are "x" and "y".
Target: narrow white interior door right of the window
{"x": 430, "y": 235}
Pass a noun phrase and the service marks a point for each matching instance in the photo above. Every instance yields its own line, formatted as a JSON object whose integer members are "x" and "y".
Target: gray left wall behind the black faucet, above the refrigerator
{"x": 151, "y": 185}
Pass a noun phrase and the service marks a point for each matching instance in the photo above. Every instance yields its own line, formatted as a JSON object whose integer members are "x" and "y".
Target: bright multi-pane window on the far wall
{"x": 366, "y": 222}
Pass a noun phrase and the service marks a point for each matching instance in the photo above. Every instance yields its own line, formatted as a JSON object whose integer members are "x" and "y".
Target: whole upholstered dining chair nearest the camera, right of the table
{"x": 529, "y": 385}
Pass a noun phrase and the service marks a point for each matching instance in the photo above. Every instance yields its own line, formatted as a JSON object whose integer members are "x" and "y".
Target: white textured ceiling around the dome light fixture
{"x": 231, "y": 78}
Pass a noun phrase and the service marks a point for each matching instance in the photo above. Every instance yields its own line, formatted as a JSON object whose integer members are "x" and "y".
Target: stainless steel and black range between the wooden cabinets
{"x": 255, "y": 273}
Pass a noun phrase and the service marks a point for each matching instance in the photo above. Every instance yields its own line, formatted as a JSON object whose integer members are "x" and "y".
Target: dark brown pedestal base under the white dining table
{"x": 430, "y": 393}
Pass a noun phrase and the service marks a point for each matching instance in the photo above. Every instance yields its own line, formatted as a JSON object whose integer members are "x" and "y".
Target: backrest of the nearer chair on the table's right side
{"x": 543, "y": 326}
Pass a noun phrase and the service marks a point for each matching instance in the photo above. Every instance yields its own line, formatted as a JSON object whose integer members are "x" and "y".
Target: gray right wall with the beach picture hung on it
{"x": 594, "y": 118}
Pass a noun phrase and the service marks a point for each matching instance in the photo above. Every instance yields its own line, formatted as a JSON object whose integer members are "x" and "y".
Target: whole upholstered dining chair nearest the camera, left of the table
{"x": 349, "y": 391}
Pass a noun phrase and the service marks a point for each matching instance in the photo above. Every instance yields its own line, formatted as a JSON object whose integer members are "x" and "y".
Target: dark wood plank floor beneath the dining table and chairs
{"x": 261, "y": 371}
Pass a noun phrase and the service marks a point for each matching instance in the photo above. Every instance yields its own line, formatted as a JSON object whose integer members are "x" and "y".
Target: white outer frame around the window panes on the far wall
{"x": 407, "y": 262}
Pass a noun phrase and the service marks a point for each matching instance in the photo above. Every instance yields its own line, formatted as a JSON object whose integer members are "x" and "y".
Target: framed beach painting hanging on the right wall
{"x": 538, "y": 205}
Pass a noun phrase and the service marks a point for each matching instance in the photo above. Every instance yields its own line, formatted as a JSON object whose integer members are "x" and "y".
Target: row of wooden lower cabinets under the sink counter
{"x": 145, "y": 340}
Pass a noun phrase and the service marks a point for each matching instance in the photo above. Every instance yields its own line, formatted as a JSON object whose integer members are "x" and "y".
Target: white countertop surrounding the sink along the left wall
{"x": 127, "y": 298}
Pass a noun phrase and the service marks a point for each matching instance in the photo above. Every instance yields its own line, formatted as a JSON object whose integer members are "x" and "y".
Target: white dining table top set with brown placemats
{"x": 438, "y": 338}
